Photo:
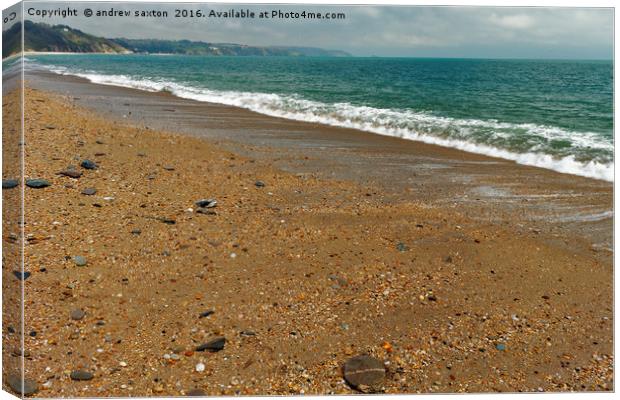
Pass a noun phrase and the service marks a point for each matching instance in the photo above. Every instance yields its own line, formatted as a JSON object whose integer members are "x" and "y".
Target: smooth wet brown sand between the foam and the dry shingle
{"x": 446, "y": 174}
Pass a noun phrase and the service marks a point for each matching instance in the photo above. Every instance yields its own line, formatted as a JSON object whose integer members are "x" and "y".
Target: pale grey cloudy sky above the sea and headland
{"x": 491, "y": 32}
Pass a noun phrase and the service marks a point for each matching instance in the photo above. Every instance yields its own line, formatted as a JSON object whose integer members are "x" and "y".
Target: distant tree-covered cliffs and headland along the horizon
{"x": 60, "y": 38}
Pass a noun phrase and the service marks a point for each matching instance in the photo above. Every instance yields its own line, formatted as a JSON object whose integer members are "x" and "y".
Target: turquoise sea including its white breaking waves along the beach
{"x": 552, "y": 114}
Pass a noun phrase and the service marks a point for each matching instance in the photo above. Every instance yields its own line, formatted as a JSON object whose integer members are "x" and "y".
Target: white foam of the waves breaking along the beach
{"x": 427, "y": 128}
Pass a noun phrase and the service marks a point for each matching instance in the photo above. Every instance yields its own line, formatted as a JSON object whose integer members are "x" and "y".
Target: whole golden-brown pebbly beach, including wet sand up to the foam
{"x": 460, "y": 272}
